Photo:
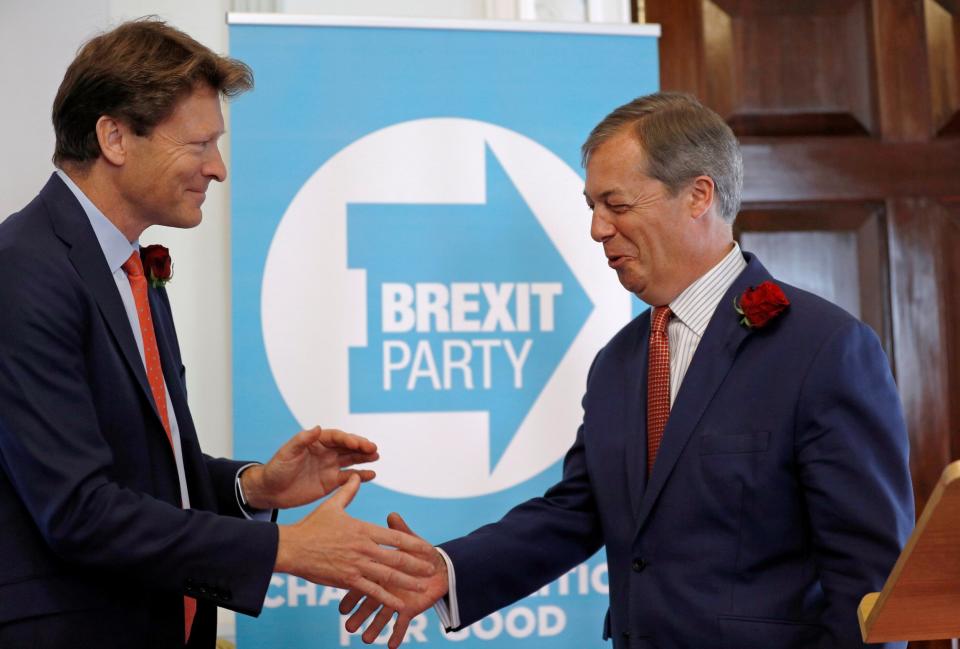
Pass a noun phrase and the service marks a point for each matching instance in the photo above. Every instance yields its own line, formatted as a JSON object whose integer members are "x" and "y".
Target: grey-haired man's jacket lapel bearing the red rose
{"x": 712, "y": 361}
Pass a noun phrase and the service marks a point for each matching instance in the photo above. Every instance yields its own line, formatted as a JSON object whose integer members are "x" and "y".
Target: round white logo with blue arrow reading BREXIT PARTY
{"x": 434, "y": 285}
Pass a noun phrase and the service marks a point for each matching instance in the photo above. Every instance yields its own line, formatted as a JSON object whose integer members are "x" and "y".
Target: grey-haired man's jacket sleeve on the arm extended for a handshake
{"x": 533, "y": 544}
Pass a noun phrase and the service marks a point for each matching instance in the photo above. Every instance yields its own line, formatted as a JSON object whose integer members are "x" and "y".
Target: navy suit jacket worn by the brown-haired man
{"x": 89, "y": 494}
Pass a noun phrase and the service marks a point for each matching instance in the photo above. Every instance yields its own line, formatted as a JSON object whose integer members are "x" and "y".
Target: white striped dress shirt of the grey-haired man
{"x": 692, "y": 310}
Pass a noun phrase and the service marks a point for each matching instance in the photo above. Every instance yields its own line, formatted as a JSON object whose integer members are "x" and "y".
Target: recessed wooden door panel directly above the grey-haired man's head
{"x": 789, "y": 68}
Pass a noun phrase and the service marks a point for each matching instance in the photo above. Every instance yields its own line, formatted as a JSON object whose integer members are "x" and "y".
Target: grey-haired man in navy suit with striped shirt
{"x": 743, "y": 455}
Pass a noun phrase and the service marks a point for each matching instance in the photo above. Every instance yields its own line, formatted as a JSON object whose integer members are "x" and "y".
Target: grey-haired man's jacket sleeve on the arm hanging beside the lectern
{"x": 852, "y": 449}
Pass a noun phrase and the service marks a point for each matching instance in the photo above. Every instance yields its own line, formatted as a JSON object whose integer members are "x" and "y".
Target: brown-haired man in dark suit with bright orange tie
{"x": 116, "y": 530}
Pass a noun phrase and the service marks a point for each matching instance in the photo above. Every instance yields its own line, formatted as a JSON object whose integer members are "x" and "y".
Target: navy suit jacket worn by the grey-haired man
{"x": 781, "y": 493}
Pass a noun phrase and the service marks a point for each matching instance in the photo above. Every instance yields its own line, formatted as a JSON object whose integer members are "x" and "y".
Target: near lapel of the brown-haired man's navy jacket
{"x": 70, "y": 223}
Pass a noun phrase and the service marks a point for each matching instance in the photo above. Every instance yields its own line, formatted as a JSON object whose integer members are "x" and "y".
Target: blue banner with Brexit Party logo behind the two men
{"x": 412, "y": 262}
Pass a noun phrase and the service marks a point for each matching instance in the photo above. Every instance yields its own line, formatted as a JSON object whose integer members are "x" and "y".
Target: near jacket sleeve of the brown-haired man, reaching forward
{"x": 60, "y": 465}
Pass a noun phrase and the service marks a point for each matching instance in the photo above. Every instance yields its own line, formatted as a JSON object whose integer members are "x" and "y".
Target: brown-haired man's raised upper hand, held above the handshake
{"x": 307, "y": 468}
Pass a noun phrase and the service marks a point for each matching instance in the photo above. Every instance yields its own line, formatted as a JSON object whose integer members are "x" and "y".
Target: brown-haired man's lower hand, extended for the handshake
{"x": 330, "y": 547}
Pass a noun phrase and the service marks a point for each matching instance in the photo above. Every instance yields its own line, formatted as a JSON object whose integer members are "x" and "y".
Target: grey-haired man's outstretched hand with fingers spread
{"x": 415, "y": 601}
